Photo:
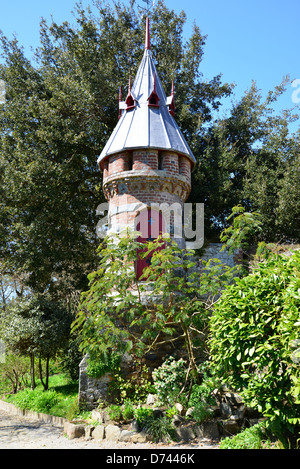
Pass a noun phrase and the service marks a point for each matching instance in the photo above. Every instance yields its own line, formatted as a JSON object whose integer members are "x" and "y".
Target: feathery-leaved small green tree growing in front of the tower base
{"x": 118, "y": 313}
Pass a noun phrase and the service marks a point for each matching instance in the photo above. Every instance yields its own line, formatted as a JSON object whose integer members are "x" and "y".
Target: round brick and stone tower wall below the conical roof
{"x": 136, "y": 179}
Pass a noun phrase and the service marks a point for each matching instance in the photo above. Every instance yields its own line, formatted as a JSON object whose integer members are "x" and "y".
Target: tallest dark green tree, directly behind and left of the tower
{"x": 59, "y": 111}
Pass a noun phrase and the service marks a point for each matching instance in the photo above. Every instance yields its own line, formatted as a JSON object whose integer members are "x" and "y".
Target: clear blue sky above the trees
{"x": 247, "y": 40}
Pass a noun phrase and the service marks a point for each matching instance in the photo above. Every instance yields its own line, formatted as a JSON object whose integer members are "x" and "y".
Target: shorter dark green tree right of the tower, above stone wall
{"x": 247, "y": 158}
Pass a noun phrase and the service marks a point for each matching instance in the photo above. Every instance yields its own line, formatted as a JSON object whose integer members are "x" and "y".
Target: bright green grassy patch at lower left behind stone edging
{"x": 60, "y": 400}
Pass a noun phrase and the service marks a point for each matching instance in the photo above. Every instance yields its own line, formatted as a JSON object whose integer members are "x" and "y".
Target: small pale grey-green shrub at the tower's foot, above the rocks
{"x": 169, "y": 379}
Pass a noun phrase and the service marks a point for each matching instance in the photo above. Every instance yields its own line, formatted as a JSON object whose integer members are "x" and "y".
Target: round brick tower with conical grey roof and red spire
{"x": 146, "y": 161}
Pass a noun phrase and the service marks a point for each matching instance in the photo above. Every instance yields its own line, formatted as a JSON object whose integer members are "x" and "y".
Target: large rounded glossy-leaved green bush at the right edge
{"x": 254, "y": 327}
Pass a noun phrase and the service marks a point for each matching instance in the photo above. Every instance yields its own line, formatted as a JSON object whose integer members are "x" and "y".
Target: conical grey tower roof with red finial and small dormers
{"x": 146, "y": 123}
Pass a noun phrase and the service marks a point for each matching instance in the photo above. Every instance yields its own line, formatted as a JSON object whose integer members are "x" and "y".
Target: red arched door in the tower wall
{"x": 150, "y": 223}
